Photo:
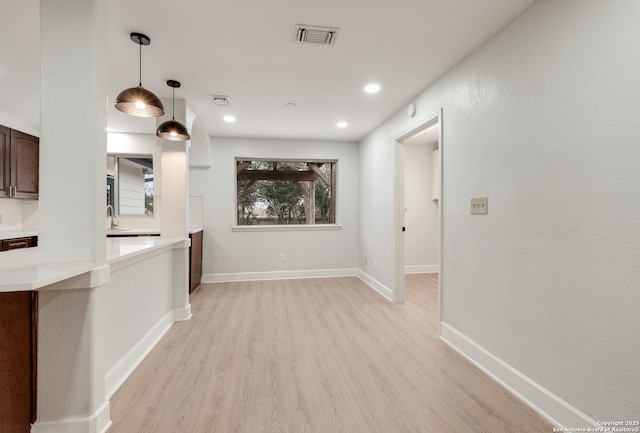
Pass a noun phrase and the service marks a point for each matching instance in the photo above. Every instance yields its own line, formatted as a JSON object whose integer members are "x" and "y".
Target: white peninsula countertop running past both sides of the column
{"x": 20, "y": 270}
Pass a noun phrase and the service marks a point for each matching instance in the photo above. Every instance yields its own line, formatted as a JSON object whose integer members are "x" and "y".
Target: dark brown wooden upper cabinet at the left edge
{"x": 19, "y": 158}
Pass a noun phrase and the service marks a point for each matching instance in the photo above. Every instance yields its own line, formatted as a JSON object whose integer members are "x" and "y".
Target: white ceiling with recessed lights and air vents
{"x": 245, "y": 49}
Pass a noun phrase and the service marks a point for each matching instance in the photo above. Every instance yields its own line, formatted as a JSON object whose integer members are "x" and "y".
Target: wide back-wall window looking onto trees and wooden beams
{"x": 271, "y": 192}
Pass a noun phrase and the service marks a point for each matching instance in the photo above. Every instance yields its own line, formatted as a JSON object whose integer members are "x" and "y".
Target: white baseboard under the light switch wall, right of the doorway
{"x": 553, "y": 408}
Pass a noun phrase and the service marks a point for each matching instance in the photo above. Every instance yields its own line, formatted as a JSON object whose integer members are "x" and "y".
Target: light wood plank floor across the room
{"x": 316, "y": 355}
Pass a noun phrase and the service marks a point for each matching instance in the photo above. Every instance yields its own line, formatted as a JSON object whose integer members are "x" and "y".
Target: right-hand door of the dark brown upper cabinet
{"x": 25, "y": 154}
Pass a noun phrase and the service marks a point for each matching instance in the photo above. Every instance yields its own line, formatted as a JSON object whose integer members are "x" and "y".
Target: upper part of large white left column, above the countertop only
{"x": 73, "y": 140}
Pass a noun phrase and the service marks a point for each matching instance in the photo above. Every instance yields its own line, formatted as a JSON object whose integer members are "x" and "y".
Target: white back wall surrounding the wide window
{"x": 232, "y": 254}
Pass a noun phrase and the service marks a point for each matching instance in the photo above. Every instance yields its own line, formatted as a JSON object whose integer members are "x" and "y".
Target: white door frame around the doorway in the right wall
{"x": 399, "y": 259}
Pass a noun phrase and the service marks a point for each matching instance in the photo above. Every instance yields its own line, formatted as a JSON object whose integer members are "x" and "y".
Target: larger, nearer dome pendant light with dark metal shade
{"x": 138, "y": 101}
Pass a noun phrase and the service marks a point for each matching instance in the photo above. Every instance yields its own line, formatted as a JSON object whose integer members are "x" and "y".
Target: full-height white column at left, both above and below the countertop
{"x": 73, "y": 43}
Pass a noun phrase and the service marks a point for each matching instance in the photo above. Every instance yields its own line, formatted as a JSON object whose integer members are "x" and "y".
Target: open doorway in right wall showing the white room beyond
{"x": 418, "y": 210}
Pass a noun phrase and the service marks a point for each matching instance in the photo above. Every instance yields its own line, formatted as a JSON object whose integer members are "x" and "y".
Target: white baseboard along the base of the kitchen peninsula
{"x": 116, "y": 376}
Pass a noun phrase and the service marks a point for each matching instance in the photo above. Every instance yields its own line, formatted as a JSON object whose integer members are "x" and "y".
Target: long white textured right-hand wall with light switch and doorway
{"x": 543, "y": 120}
